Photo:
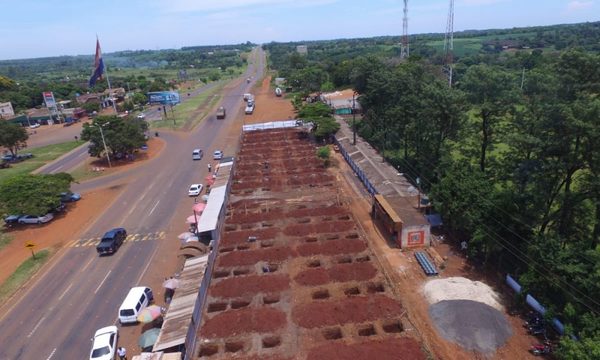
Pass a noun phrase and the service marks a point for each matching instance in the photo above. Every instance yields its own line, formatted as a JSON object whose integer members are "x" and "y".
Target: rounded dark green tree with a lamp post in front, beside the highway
{"x": 122, "y": 136}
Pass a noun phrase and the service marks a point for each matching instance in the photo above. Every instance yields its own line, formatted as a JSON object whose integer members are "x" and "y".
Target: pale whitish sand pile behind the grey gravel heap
{"x": 459, "y": 288}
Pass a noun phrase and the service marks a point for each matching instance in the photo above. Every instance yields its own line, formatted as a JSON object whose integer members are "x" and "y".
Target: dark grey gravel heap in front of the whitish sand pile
{"x": 471, "y": 324}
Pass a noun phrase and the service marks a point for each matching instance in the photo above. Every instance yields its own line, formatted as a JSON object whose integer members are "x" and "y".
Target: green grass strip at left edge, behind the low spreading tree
{"x": 41, "y": 156}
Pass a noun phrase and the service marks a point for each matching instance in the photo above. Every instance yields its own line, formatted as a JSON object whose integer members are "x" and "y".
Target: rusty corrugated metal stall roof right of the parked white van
{"x": 179, "y": 314}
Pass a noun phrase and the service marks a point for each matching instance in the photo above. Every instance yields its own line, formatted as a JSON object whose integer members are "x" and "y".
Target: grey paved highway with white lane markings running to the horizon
{"x": 81, "y": 292}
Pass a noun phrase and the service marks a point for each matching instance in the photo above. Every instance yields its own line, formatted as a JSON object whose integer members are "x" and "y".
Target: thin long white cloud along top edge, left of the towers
{"x": 209, "y": 6}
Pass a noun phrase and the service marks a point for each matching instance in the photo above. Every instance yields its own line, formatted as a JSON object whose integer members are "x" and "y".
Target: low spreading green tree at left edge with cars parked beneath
{"x": 33, "y": 194}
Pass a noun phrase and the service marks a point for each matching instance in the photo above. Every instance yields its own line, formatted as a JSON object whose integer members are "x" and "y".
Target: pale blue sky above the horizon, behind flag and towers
{"x": 40, "y": 28}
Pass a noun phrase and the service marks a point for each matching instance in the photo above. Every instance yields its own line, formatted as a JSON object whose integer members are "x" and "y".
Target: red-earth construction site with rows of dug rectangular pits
{"x": 294, "y": 276}
